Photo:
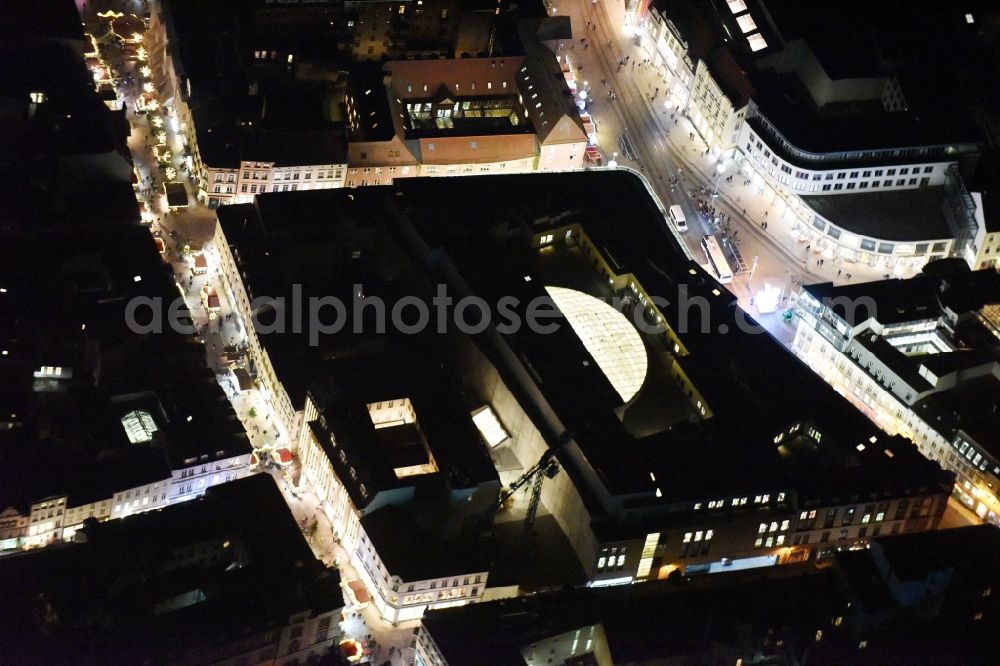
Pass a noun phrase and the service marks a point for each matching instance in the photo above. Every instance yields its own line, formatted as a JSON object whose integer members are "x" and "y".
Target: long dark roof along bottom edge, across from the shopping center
{"x": 647, "y": 623}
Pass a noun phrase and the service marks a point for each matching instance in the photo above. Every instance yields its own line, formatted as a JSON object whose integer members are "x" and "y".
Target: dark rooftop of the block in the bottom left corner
{"x": 110, "y": 592}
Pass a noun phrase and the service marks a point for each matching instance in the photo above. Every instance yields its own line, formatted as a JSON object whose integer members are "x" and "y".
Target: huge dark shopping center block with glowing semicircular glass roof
{"x": 678, "y": 450}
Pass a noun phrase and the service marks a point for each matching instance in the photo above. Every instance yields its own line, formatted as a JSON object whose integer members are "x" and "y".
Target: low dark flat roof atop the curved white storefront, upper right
{"x": 897, "y": 216}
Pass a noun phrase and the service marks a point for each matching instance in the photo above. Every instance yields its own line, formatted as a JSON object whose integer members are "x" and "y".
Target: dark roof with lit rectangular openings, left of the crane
{"x": 407, "y": 367}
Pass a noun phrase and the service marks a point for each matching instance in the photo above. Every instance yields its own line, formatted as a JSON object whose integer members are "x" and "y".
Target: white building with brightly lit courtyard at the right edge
{"x": 887, "y": 370}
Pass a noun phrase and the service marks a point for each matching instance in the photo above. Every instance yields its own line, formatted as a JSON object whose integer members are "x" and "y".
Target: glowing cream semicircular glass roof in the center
{"x": 609, "y": 337}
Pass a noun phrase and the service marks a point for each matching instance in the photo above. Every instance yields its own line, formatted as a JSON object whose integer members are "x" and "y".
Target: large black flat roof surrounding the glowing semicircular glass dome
{"x": 495, "y": 249}
